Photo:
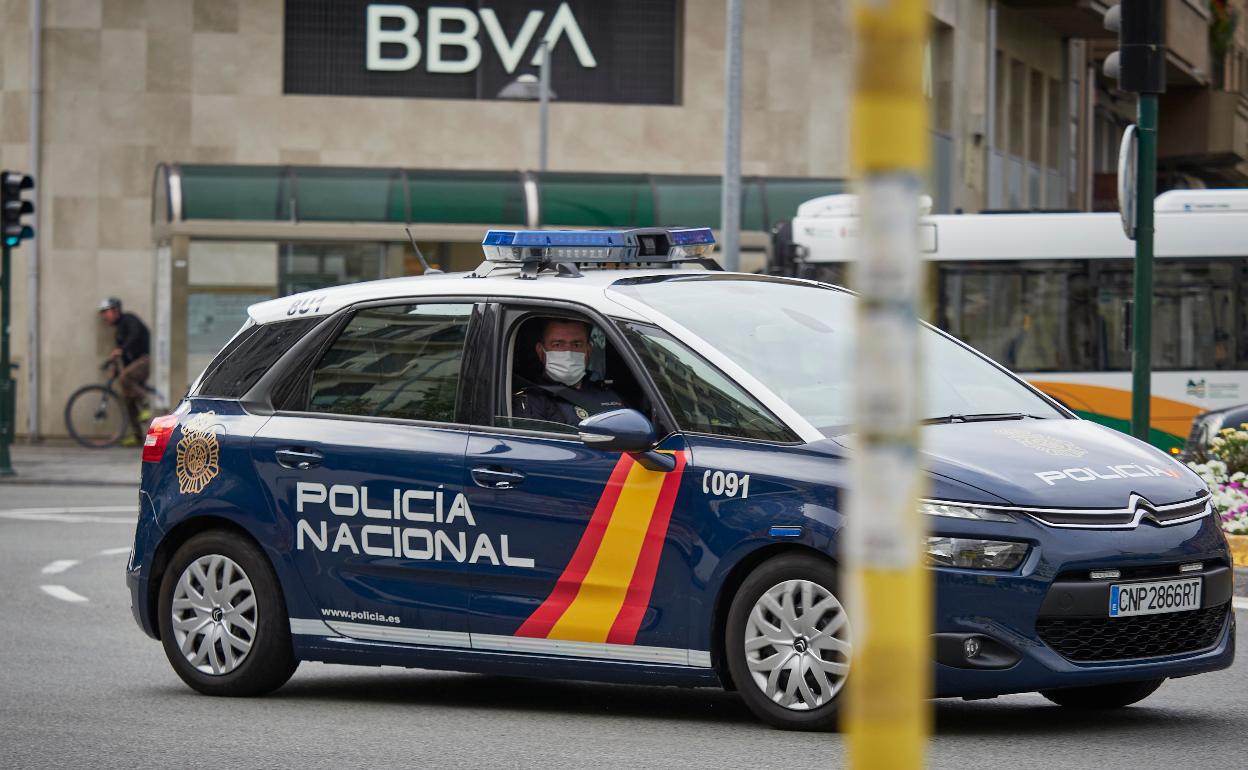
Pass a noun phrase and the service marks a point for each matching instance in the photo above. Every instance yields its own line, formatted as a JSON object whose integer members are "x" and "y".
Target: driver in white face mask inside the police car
{"x": 563, "y": 394}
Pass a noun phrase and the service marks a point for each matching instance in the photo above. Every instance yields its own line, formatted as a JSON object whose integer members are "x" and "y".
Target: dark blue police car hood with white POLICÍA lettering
{"x": 1058, "y": 464}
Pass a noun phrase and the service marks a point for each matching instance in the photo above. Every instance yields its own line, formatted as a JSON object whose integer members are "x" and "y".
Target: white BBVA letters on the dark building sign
{"x": 451, "y": 28}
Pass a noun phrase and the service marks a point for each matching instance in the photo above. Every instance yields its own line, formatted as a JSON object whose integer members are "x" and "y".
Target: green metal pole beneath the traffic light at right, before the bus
{"x": 1143, "y": 324}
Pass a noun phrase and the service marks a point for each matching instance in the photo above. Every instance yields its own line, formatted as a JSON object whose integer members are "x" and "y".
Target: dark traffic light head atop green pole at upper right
{"x": 1140, "y": 62}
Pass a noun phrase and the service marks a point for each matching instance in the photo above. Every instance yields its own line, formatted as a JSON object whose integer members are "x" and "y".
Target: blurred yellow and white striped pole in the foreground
{"x": 888, "y": 713}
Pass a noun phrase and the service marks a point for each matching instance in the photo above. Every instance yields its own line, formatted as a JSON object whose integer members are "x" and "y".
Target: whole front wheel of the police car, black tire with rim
{"x": 787, "y": 612}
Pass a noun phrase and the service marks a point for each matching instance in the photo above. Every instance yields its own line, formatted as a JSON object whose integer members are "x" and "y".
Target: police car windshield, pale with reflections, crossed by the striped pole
{"x": 797, "y": 339}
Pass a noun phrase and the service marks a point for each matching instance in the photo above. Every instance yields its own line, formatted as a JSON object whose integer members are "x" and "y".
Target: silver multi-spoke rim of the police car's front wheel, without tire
{"x": 798, "y": 645}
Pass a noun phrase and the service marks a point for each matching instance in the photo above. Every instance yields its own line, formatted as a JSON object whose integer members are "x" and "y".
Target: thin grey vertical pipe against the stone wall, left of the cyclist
{"x": 37, "y": 147}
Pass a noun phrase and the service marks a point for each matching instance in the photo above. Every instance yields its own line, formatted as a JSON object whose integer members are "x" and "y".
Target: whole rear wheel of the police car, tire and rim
{"x": 223, "y": 618}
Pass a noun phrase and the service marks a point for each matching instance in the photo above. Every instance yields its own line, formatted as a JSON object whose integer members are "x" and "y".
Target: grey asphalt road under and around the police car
{"x": 80, "y": 686}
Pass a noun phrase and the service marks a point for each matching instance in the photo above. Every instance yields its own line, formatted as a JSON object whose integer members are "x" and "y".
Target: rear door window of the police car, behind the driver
{"x": 401, "y": 361}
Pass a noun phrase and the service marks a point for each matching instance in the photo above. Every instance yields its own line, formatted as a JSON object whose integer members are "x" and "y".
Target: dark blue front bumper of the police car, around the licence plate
{"x": 1048, "y": 625}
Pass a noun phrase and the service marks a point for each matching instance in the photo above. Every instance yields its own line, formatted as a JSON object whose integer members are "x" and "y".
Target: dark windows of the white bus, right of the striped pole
{"x": 1070, "y": 315}
